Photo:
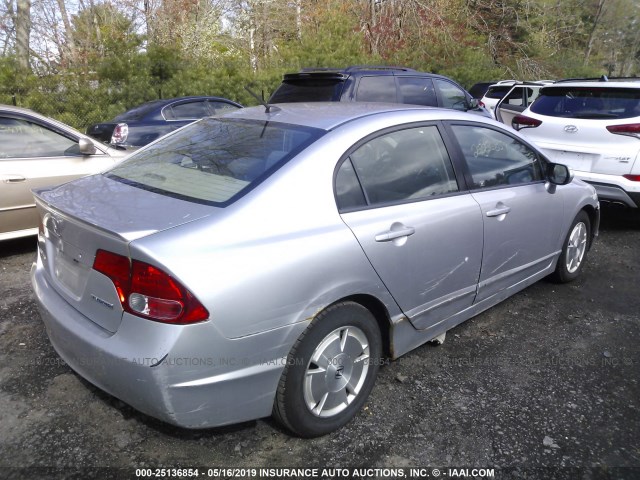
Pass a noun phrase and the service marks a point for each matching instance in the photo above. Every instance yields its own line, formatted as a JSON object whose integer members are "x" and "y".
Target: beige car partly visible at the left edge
{"x": 36, "y": 151}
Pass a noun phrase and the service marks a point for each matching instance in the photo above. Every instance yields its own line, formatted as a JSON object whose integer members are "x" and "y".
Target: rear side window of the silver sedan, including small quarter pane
{"x": 411, "y": 164}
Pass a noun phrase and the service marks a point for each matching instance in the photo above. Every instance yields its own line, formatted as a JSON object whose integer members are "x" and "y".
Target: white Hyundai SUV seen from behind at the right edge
{"x": 592, "y": 126}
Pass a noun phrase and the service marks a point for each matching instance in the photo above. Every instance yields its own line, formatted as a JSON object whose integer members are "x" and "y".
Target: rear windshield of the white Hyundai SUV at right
{"x": 588, "y": 102}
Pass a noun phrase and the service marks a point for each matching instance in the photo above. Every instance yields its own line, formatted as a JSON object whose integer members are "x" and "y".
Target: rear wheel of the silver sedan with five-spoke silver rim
{"x": 330, "y": 371}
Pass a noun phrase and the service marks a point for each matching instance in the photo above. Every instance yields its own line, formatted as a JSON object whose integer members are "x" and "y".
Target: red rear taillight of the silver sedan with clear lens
{"x": 148, "y": 292}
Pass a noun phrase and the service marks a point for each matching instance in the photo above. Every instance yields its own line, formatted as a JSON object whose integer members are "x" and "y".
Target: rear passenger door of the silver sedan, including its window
{"x": 399, "y": 195}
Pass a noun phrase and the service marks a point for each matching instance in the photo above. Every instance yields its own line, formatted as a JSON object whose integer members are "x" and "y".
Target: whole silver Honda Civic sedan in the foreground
{"x": 266, "y": 262}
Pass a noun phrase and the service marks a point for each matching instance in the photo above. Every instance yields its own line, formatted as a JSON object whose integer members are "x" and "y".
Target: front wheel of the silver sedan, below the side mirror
{"x": 574, "y": 250}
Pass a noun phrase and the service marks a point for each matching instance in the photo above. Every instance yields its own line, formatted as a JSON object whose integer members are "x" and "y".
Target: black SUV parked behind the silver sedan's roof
{"x": 374, "y": 84}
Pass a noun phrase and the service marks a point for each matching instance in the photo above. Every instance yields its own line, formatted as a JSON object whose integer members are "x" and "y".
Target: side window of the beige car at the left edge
{"x": 20, "y": 138}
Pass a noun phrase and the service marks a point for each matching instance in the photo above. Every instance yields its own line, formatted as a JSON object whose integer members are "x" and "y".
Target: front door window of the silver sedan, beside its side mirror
{"x": 496, "y": 159}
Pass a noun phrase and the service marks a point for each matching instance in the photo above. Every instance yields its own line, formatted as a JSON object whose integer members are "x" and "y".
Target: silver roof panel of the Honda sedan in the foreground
{"x": 329, "y": 115}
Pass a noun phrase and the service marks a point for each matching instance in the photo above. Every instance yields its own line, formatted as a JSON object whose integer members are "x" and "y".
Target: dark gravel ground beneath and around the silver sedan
{"x": 545, "y": 385}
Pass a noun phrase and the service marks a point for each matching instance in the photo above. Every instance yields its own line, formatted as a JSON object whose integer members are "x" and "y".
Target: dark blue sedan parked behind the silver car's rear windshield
{"x": 145, "y": 123}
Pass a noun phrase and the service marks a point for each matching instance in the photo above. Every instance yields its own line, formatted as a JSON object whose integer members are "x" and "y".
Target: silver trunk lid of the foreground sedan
{"x": 93, "y": 213}
